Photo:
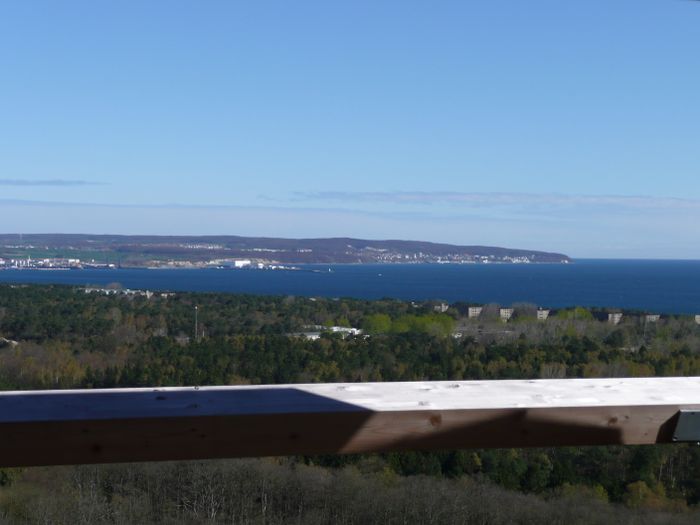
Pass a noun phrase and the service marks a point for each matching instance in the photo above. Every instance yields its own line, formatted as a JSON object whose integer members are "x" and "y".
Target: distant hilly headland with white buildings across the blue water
{"x": 141, "y": 249}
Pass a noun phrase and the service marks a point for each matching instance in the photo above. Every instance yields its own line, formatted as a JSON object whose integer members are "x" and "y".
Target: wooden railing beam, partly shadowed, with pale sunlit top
{"x": 151, "y": 424}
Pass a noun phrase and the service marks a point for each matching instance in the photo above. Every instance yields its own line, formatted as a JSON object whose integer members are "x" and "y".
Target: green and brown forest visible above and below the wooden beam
{"x": 63, "y": 337}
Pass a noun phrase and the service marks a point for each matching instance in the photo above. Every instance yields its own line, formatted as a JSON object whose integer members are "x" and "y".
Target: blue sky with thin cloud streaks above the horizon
{"x": 568, "y": 126}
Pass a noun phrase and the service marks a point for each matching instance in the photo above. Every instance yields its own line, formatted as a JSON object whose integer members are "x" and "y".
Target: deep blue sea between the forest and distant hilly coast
{"x": 653, "y": 285}
